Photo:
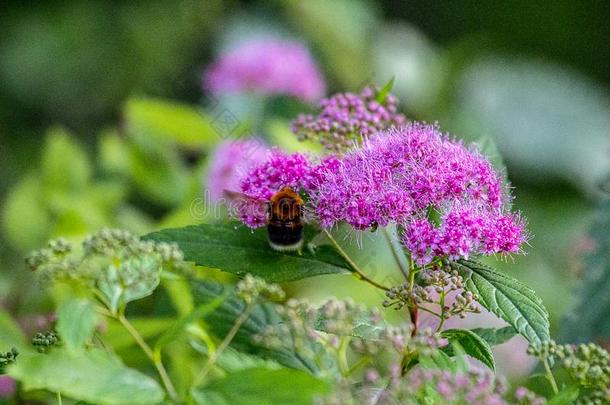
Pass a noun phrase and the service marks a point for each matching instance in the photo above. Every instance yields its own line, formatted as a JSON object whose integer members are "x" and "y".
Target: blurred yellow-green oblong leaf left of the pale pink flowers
{"x": 179, "y": 123}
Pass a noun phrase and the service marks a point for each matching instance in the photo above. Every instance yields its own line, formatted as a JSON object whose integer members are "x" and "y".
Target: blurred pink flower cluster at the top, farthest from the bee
{"x": 270, "y": 67}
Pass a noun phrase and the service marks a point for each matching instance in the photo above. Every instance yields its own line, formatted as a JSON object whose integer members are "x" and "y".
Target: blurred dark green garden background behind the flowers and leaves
{"x": 103, "y": 121}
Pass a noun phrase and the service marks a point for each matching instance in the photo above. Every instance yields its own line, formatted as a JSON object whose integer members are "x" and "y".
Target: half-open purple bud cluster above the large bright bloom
{"x": 347, "y": 118}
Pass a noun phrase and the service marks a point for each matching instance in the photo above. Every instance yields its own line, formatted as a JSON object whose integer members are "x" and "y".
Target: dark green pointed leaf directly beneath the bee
{"x": 236, "y": 249}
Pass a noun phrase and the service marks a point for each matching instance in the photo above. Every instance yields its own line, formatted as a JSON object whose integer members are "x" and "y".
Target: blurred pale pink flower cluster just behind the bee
{"x": 230, "y": 162}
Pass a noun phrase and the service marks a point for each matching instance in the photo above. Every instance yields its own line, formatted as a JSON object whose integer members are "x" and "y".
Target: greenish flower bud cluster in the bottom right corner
{"x": 587, "y": 364}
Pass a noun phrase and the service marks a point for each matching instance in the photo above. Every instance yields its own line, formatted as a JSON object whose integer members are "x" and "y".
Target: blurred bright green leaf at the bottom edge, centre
{"x": 263, "y": 386}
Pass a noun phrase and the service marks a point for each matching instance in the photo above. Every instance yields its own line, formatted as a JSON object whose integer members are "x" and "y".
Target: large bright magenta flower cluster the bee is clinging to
{"x": 446, "y": 197}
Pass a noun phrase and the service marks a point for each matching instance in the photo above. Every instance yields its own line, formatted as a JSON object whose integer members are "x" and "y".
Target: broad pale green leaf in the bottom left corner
{"x": 93, "y": 376}
